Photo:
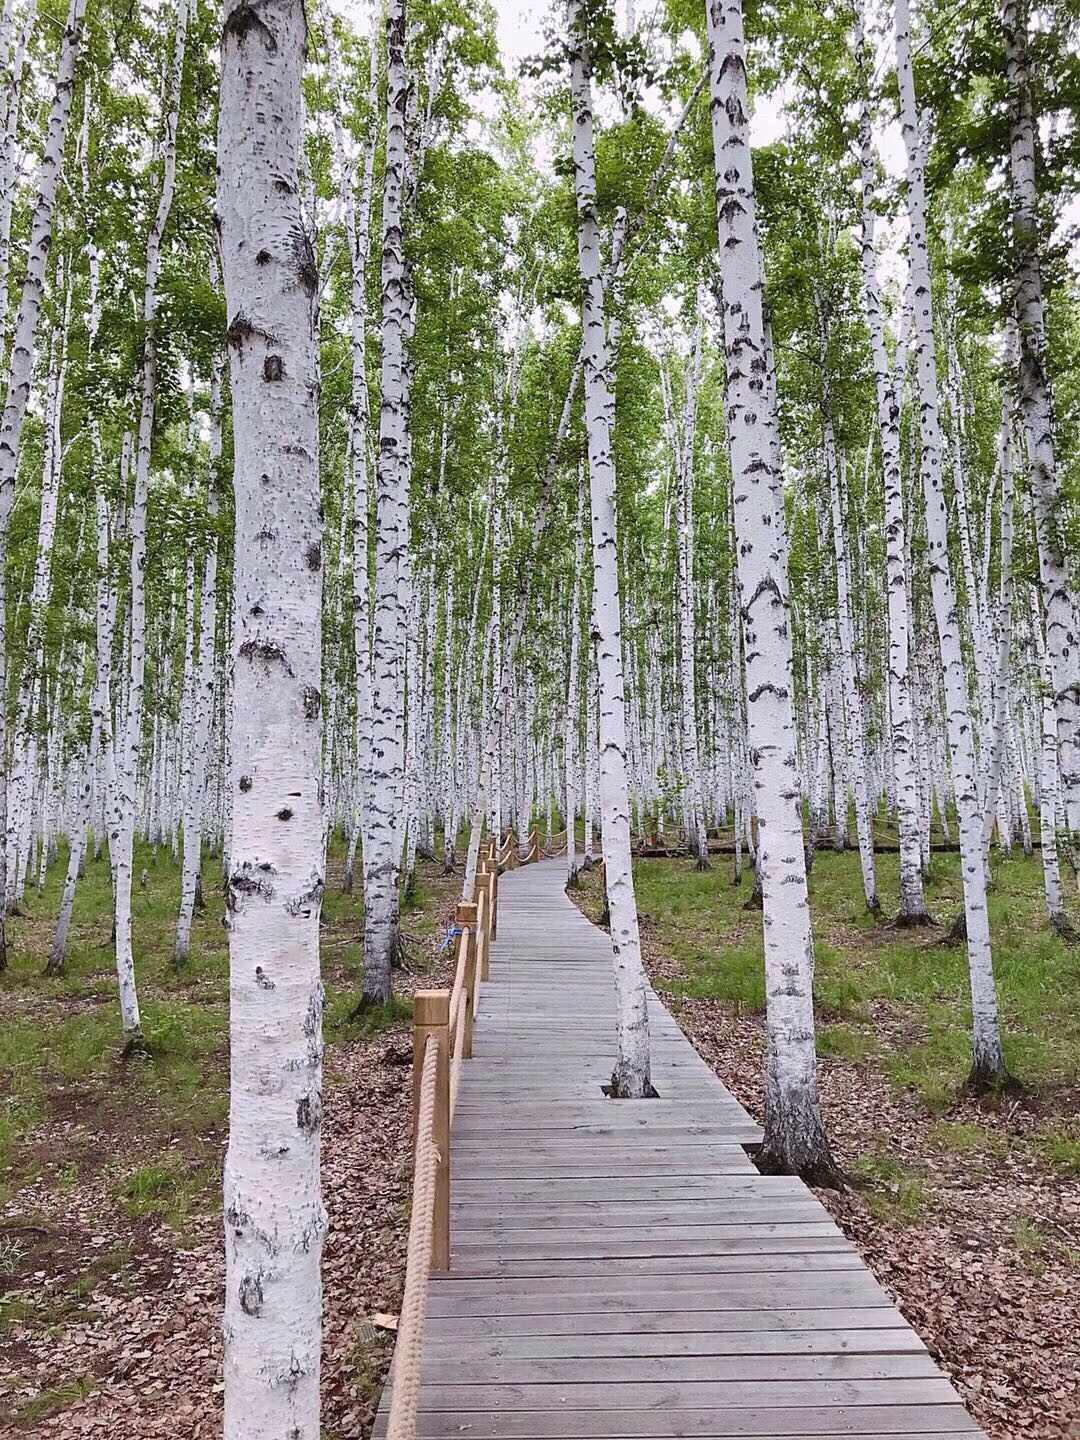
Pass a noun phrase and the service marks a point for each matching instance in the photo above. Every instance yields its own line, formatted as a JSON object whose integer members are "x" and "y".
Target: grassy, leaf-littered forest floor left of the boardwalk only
{"x": 112, "y": 1258}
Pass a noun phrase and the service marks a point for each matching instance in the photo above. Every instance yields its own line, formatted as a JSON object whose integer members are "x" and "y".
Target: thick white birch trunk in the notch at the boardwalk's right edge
{"x": 794, "y": 1133}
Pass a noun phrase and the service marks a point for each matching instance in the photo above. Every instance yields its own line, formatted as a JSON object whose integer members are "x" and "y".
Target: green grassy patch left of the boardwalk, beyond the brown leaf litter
{"x": 60, "y": 1036}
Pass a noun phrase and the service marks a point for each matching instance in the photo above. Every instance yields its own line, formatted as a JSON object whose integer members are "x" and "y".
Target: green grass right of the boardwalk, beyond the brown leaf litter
{"x": 883, "y": 996}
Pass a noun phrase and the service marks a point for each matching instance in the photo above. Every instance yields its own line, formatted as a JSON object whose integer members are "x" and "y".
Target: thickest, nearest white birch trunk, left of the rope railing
{"x": 274, "y": 1218}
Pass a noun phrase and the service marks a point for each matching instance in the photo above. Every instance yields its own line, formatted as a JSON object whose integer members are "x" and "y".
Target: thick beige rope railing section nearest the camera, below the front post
{"x": 407, "y": 1357}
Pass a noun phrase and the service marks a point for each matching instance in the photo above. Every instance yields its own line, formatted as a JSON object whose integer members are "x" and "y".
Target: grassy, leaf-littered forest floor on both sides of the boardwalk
{"x": 110, "y": 1173}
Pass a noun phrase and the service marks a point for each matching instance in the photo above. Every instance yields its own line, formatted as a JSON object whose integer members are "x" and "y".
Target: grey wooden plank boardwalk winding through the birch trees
{"x": 620, "y": 1269}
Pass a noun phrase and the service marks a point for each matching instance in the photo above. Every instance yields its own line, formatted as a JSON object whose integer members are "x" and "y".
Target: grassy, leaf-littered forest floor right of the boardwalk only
{"x": 968, "y": 1213}
